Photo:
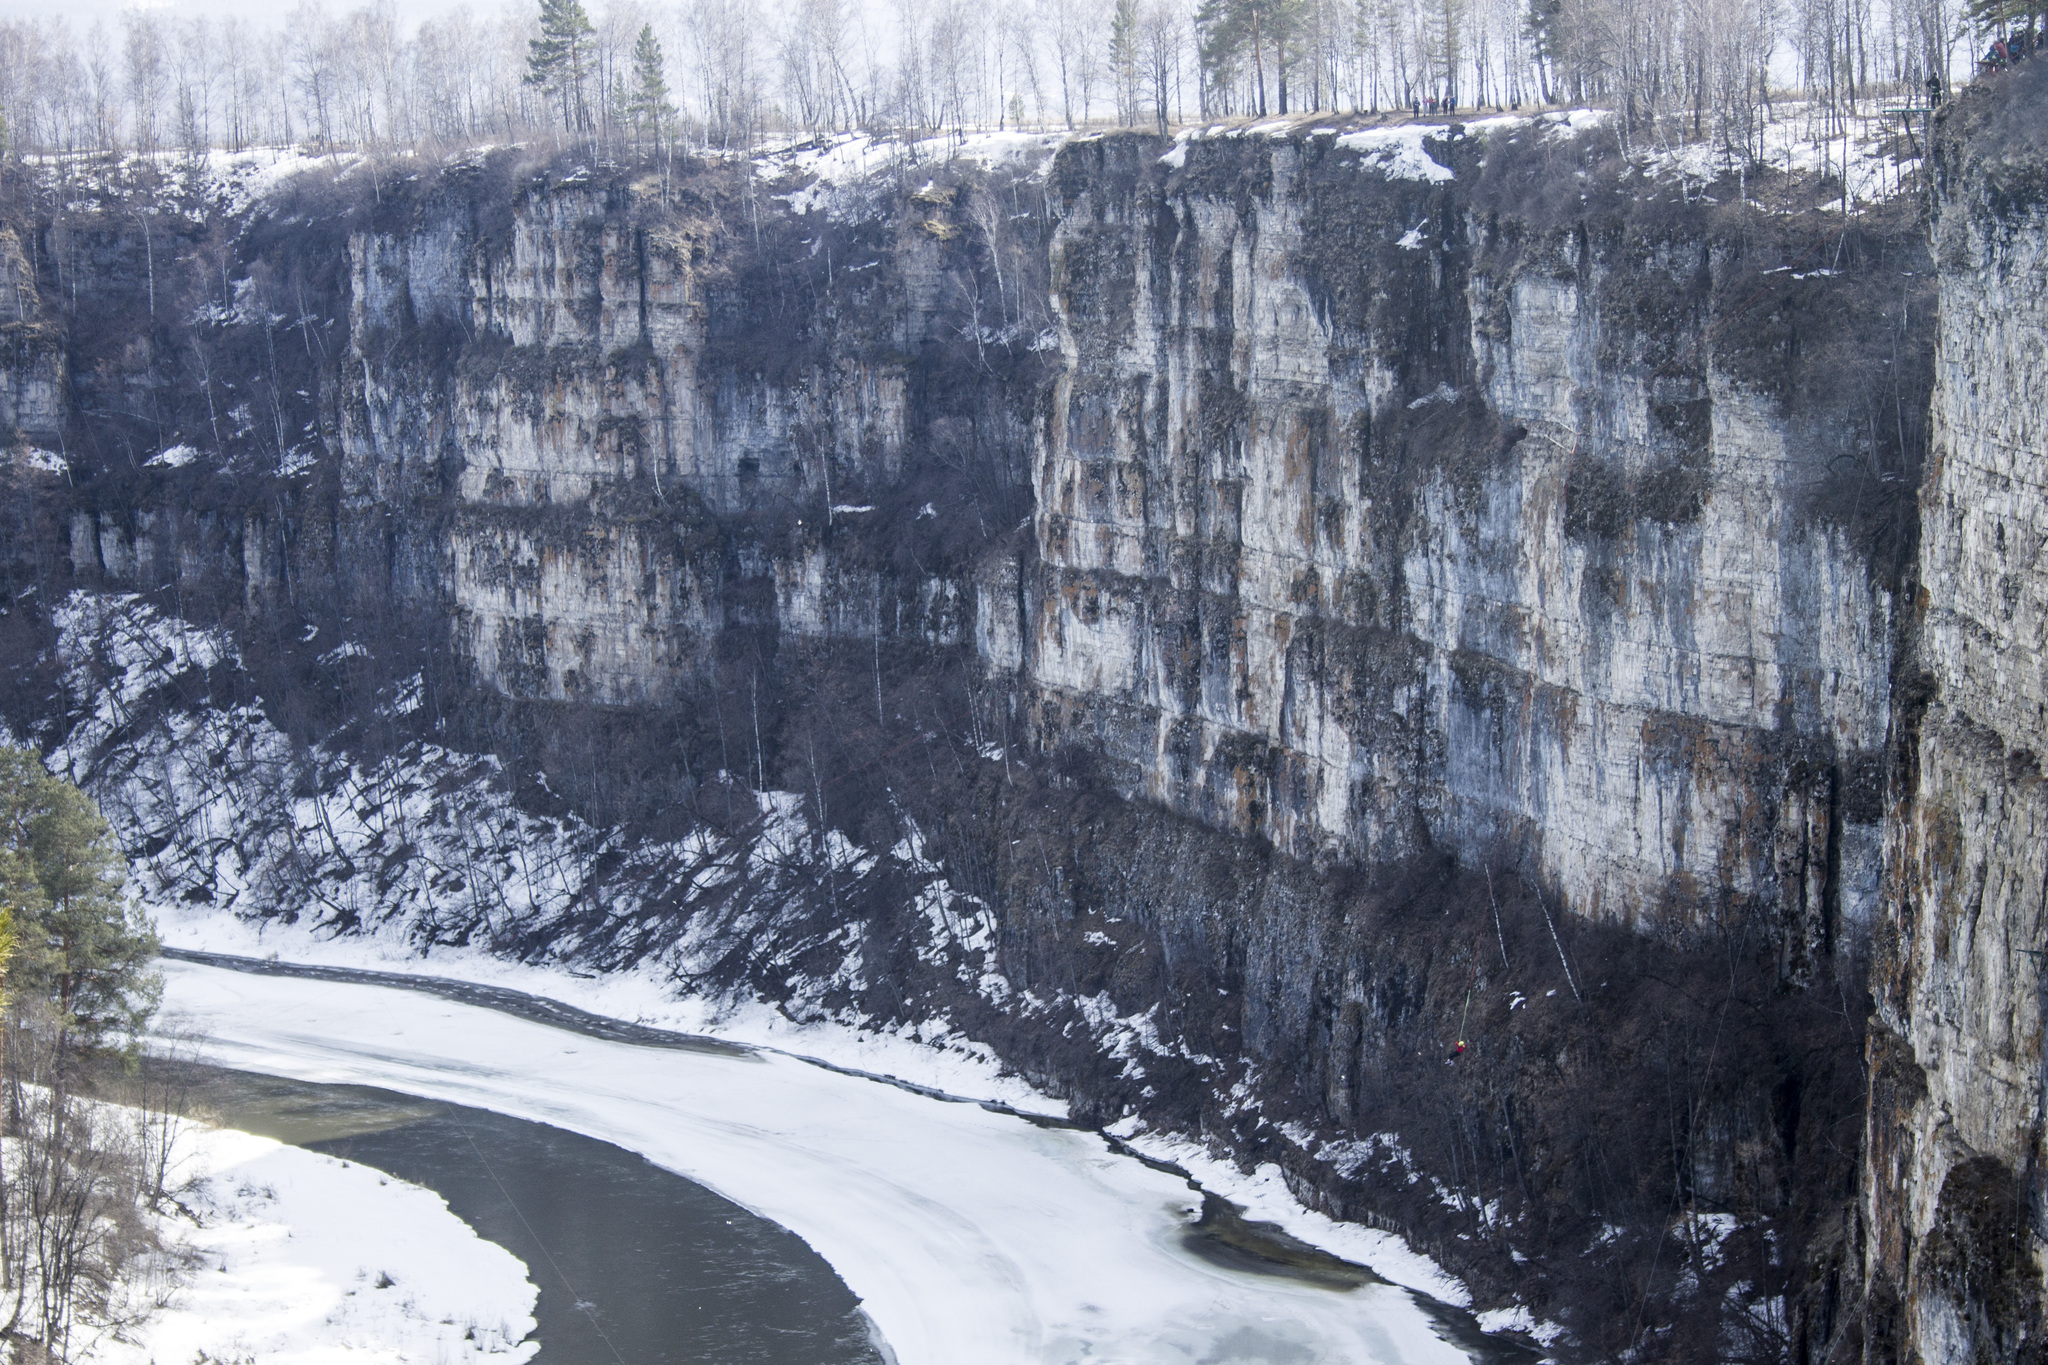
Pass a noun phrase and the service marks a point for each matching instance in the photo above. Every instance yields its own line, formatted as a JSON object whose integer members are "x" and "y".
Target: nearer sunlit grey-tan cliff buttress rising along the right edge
{"x": 1957, "y": 1198}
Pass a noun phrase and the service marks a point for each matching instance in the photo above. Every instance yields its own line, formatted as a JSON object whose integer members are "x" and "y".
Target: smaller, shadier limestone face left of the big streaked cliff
{"x": 577, "y": 427}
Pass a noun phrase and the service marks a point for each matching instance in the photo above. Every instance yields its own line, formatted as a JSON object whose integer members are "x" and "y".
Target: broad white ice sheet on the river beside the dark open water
{"x": 968, "y": 1235}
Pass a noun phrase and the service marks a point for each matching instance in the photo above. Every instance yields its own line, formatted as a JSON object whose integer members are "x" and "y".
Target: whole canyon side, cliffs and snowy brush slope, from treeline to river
{"x": 1218, "y": 621}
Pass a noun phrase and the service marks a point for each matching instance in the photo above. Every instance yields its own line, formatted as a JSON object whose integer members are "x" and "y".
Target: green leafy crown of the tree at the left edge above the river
{"x": 81, "y": 946}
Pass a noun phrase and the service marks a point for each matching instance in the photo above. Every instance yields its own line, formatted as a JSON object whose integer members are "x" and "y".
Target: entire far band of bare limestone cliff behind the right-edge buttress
{"x": 1381, "y": 500}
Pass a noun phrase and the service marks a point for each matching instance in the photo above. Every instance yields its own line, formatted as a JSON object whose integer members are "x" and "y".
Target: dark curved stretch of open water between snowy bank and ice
{"x": 636, "y": 1264}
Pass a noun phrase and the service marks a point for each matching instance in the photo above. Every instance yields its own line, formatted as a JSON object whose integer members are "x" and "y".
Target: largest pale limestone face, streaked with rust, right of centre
{"x": 1373, "y": 517}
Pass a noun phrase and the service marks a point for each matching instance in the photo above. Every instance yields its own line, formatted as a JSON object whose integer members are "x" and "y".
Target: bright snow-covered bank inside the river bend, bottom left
{"x": 304, "y": 1260}
